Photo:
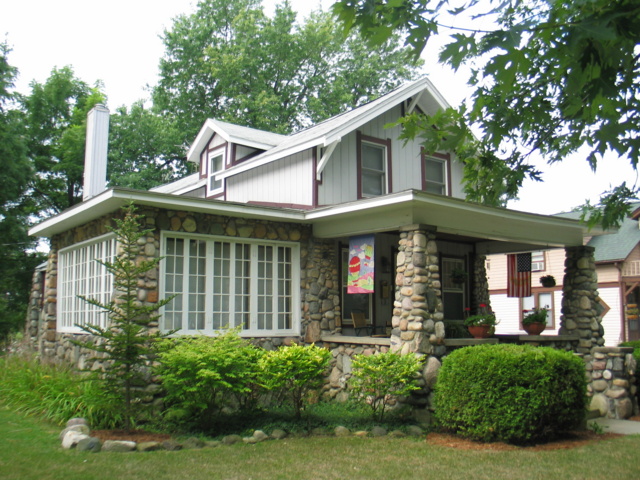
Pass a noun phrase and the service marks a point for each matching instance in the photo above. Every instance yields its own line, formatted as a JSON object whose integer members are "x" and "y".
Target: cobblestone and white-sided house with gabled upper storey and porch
{"x": 259, "y": 237}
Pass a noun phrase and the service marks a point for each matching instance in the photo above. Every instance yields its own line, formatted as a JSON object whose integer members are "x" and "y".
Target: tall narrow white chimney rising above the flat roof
{"x": 95, "y": 156}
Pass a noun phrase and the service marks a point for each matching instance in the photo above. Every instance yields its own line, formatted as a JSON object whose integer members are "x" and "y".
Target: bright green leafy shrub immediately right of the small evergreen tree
{"x": 202, "y": 375}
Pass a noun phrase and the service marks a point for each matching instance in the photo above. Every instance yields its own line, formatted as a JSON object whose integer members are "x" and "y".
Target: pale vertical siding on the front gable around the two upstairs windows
{"x": 340, "y": 175}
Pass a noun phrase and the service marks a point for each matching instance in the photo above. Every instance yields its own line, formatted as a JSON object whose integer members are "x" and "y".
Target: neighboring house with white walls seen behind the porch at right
{"x": 617, "y": 258}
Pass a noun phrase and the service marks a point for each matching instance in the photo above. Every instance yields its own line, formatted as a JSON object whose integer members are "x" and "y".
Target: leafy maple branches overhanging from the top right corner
{"x": 549, "y": 76}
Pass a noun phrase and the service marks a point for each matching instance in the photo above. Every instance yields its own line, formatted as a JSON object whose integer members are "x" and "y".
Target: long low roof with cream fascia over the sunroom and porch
{"x": 493, "y": 230}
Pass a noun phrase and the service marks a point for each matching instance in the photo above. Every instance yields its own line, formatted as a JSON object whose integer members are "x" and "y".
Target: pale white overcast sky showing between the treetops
{"x": 117, "y": 41}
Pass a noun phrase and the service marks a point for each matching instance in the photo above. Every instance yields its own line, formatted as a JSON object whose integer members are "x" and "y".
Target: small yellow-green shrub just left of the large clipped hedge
{"x": 377, "y": 380}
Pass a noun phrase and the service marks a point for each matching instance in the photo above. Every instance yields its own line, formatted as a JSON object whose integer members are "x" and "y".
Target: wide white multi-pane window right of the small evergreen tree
{"x": 219, "y": 283}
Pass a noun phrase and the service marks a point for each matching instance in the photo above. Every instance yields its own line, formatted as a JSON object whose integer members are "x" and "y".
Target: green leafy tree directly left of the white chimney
{"x": 56, "y": 117}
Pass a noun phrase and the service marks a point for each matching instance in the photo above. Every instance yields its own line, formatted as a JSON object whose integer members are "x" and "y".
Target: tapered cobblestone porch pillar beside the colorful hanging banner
{"x": 417, "y": 314}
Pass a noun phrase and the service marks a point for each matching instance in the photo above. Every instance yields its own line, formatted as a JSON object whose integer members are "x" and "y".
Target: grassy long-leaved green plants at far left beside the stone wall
{"x": 56, "y": 393}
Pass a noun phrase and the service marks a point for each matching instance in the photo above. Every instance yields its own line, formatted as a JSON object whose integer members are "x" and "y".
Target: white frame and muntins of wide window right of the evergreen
{"x": 177, "y": 317}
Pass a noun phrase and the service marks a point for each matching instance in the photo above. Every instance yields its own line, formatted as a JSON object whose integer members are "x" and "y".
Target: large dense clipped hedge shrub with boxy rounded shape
{"x": 511, "y": 393}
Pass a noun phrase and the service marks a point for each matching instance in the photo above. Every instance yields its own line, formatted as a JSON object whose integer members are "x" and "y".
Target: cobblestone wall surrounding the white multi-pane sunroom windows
{"x": 320, "y": 294}
